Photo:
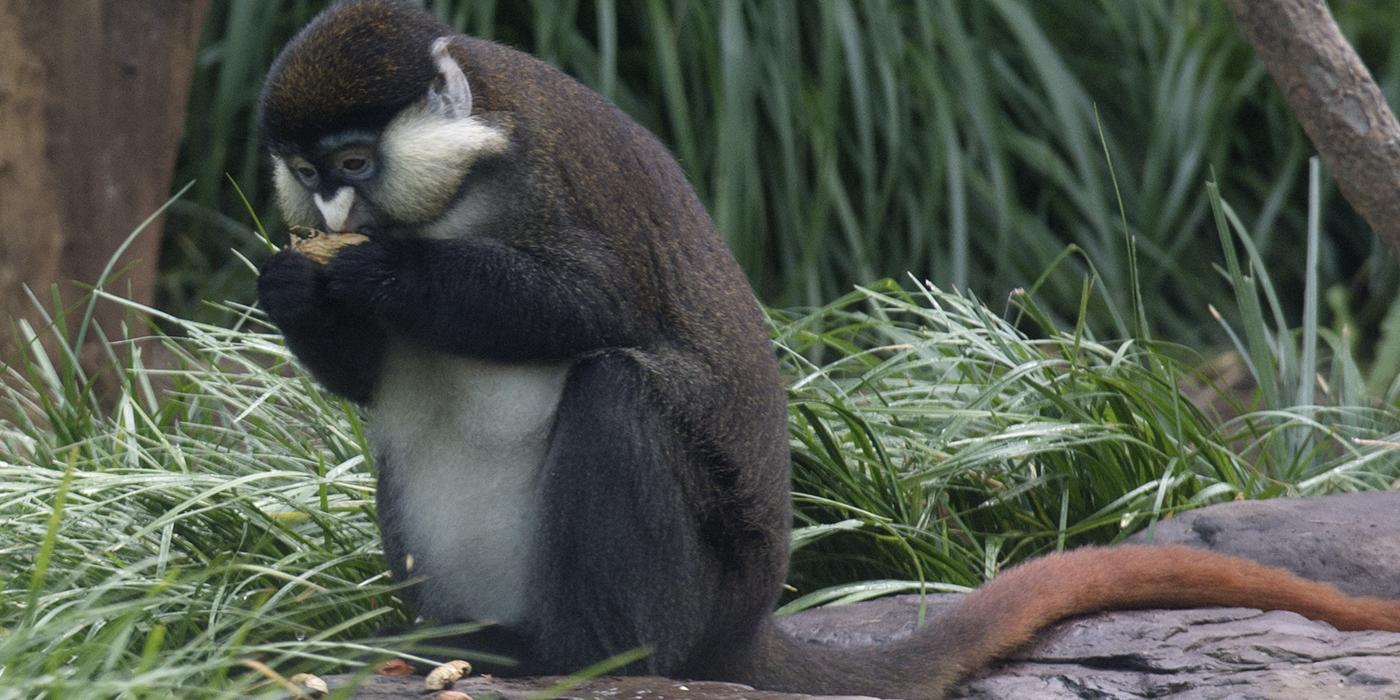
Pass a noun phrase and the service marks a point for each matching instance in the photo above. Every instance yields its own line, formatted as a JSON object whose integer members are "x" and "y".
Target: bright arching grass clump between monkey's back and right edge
{"x": 939, "y": 442}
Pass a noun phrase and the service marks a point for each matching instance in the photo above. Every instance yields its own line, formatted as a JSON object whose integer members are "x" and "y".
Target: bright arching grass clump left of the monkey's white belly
{"x": 208, "y": 531}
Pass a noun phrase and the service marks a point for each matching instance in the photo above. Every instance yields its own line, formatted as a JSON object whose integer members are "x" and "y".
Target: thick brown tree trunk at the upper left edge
{"x": 92, "y": 107}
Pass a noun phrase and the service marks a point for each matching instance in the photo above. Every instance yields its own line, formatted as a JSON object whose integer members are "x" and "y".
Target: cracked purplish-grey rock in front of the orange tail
{"x": 1224, "y": 653}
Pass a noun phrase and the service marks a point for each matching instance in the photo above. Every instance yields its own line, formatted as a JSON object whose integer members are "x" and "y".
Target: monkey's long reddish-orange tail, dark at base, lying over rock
{"x": 1006, "y": 612}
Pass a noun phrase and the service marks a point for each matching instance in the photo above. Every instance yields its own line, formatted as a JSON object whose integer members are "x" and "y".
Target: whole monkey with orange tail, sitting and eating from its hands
{"x": 575, "y": 407}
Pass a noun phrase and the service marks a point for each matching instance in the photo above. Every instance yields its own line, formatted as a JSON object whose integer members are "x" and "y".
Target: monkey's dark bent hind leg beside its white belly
{"x": 621, "y": 562}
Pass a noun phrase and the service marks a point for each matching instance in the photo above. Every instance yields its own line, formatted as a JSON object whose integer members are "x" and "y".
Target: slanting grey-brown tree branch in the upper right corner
{"x": 1336, "y": 100}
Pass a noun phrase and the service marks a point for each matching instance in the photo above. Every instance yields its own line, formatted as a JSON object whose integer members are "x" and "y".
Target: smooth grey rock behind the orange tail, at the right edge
{"x": 1350, "y": 540}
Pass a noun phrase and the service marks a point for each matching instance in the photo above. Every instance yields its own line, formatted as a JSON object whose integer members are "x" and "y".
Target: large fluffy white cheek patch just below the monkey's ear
{"x": 426, "y": 157}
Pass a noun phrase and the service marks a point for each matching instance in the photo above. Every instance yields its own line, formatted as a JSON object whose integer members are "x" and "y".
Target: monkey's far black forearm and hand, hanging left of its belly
{"x": 342, "y": 348}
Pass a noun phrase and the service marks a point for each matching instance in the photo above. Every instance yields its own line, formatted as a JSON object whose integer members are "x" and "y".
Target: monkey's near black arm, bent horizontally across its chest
{"x": 486, "y": 299}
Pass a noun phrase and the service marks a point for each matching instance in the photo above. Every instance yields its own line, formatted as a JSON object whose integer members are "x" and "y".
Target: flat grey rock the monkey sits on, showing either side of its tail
{"x": 1223, "y": 653}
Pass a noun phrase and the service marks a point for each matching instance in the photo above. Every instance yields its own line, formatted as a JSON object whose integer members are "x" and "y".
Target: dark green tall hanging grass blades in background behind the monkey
{"x": 842, "y": 142}
